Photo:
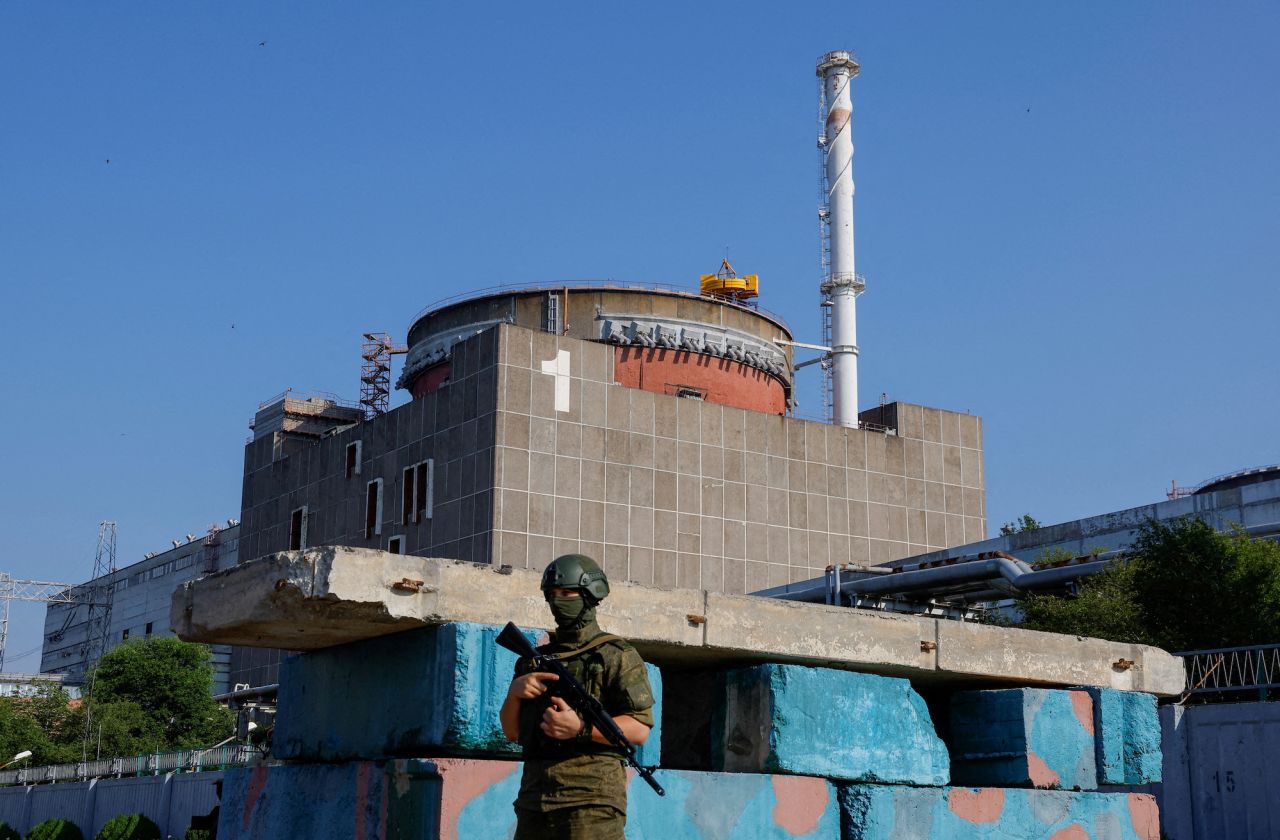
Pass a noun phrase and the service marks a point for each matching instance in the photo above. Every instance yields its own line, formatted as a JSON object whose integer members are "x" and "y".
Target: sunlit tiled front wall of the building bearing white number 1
{"x": 684, "y": 494}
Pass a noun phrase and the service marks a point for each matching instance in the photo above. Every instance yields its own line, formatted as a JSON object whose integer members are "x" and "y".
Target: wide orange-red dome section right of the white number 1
{"x": 683, "y": 373}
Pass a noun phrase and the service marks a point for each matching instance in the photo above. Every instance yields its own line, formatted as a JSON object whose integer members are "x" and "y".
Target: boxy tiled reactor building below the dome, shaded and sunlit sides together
{"x": 533, "y": 445}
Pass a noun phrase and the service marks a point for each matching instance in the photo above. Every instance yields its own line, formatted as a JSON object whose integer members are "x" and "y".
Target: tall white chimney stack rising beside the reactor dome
{"x": 843, "y": 286}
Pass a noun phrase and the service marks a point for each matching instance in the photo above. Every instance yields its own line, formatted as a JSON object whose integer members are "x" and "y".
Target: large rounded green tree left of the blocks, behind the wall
{"x": 157, "y": 695}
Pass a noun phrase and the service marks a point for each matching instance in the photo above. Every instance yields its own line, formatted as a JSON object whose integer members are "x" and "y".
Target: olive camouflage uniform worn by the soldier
{"x": 577, "y": 788}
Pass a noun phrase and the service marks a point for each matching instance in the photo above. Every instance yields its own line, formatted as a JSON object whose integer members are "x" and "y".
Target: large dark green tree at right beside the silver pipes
{"x": 1183, "y": 587}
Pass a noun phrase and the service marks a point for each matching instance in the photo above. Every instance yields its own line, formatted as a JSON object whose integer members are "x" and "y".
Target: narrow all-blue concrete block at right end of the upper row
{"x": 1128, "y": 737}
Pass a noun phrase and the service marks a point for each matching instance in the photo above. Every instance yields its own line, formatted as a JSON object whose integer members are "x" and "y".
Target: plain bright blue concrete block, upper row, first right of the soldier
{"x": 843, "y": 725}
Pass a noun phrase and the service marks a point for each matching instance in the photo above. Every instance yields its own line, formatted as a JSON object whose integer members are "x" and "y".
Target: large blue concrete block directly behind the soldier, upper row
{"x": 438, "y": 690}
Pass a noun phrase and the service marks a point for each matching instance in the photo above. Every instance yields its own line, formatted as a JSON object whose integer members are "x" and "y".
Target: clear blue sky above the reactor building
{"x": 1068, "y": 214}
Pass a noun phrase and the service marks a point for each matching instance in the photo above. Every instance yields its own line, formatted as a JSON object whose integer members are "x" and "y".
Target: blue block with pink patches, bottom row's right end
{"x": 885, "y": 812}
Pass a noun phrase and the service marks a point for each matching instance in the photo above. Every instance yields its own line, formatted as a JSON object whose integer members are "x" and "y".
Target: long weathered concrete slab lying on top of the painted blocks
{"x": 323, "y": 597}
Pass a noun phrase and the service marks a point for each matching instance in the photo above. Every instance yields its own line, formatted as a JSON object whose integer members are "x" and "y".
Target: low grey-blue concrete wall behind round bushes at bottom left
{"x": 170, "y": 801}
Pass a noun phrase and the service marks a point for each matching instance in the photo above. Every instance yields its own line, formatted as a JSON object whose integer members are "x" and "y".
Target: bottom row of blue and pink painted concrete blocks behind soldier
{"x": 461, "y": 800}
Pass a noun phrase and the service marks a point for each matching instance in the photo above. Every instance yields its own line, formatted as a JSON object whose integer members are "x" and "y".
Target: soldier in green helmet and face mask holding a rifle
{"x": 575, "y": 784}
